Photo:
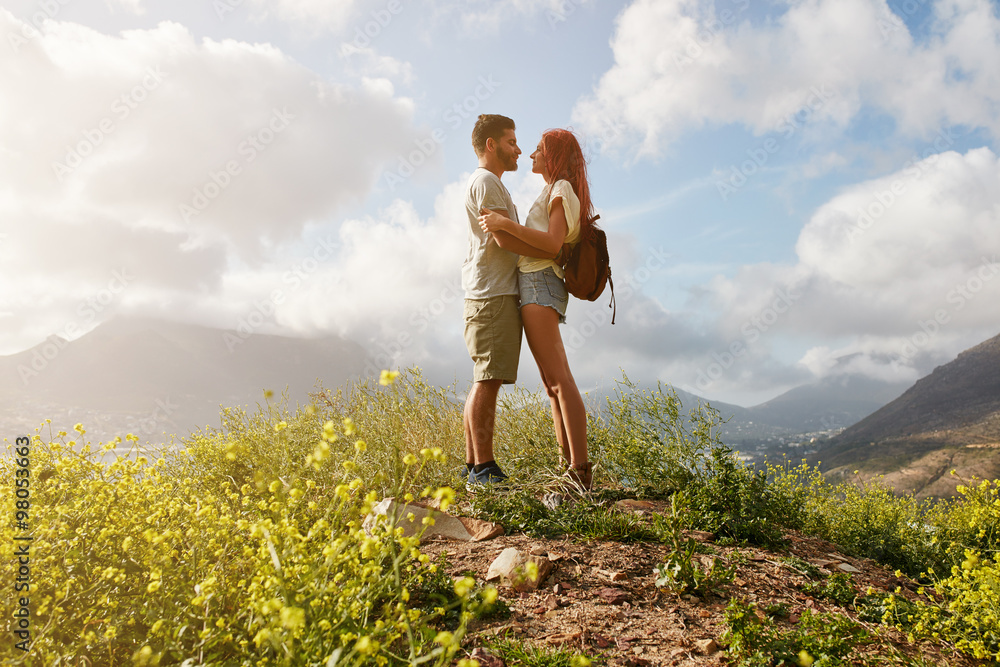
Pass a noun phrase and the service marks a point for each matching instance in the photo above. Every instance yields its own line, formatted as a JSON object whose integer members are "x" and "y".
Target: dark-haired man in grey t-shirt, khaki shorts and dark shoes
{"x": 489, "y": 278}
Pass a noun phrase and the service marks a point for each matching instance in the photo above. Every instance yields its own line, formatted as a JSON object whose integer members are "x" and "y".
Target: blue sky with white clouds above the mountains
{"x": 792, "y": 191}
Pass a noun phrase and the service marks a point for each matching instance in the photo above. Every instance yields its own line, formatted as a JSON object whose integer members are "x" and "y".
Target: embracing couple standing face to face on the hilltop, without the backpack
{"x": 511, "y": 280}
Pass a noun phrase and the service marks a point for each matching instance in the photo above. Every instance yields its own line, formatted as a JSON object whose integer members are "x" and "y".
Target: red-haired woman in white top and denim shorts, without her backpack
{"x": 554, "y": 219}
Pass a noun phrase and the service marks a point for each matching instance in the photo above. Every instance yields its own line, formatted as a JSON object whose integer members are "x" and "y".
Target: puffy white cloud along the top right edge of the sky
{"x": 681, "y": 64}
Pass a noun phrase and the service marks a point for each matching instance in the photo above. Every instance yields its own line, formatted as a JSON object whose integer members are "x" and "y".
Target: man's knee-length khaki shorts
{"x": 493, "y": 337}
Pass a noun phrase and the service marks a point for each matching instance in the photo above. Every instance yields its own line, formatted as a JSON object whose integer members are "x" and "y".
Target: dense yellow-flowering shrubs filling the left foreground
{"x": 150, "y": 563}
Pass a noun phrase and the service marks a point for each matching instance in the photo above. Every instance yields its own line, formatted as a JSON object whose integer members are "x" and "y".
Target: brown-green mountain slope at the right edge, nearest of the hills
{"x": 947, "y": 420}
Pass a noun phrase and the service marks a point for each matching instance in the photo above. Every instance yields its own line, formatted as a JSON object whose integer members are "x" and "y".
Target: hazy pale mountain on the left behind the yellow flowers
{"x": 150, "y": 377}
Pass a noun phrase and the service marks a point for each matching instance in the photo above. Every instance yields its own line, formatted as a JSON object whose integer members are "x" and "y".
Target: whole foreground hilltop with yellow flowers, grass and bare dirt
{"x": 247, "y": 545}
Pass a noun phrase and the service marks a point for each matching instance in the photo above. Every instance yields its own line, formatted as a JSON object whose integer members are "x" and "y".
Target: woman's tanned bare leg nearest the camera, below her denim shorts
{"x": 541, "y": 329}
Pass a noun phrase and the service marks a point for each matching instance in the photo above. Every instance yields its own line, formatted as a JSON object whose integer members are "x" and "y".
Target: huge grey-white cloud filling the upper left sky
{"x": 104, "y": 140}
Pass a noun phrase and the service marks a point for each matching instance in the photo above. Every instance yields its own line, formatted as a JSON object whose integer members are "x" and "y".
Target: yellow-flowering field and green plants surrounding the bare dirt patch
{"x": 244, "y": 545}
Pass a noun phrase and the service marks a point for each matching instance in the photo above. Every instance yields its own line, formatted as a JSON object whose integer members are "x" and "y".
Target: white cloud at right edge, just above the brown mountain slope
{"x": 904, "y": 267}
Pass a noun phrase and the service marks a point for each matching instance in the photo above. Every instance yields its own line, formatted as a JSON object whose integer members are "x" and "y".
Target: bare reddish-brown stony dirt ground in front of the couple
{"x": 601, "y": 599}
